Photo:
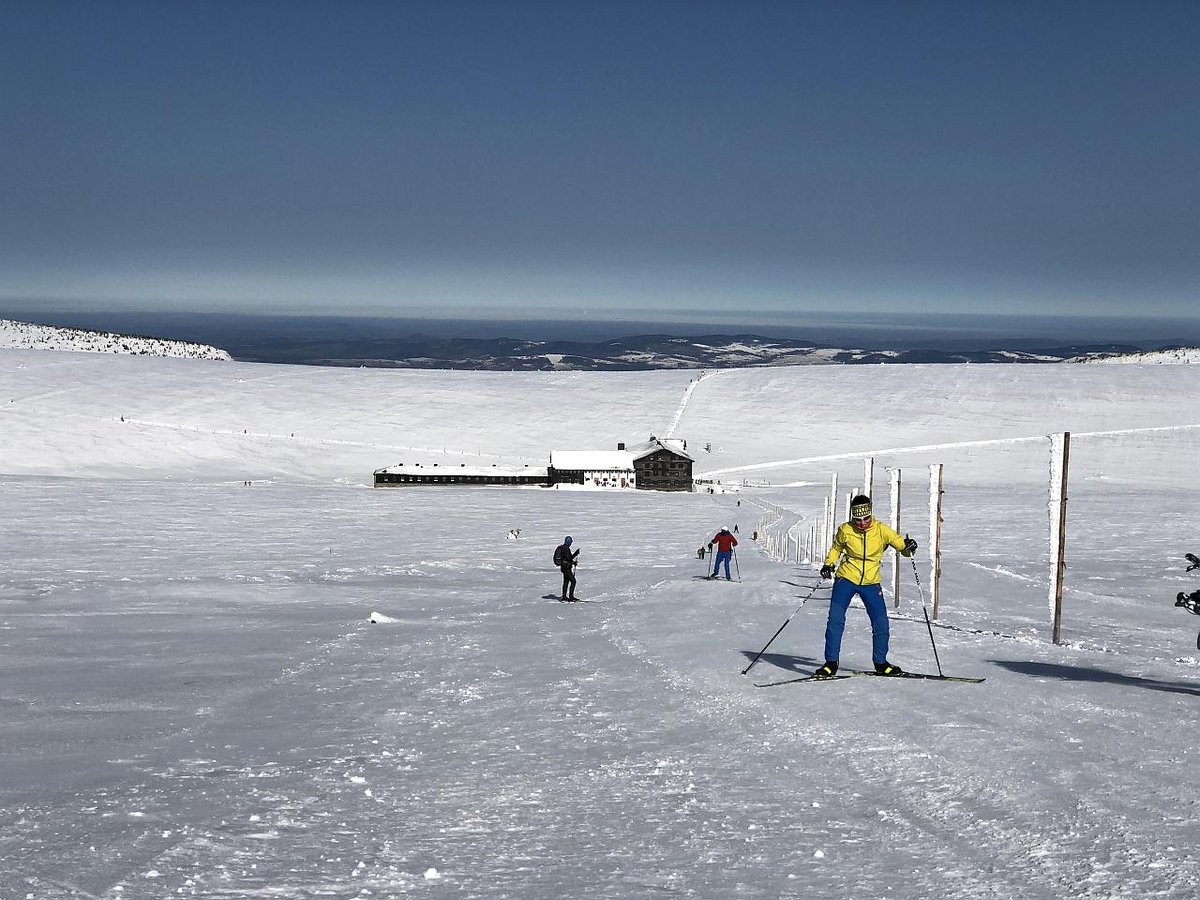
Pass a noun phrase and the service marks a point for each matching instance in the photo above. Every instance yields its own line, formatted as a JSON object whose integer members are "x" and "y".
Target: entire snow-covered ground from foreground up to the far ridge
{"x": 231, "y": 669}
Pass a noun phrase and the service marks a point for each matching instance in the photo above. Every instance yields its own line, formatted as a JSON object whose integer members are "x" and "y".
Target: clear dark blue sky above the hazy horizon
{"x": 602, "y": 158}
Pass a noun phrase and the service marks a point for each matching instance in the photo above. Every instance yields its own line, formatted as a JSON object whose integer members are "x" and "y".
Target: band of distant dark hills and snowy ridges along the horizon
{"x": 633, "y": 353}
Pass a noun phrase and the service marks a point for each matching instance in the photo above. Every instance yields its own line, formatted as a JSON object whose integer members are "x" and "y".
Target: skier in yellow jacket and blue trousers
{"x": 860, "y": 544}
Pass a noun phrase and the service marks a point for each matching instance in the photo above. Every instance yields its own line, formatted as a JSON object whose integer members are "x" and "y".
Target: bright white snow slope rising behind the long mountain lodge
{"x": 121, "y": 417}
